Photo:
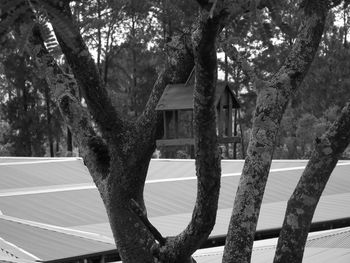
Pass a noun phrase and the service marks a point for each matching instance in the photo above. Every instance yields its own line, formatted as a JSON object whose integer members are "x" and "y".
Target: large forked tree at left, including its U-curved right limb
{"x": 119, "y": 159}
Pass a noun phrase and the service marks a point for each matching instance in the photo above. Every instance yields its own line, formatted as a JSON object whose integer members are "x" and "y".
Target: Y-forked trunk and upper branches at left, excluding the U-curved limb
{"x": 118, "y": 161}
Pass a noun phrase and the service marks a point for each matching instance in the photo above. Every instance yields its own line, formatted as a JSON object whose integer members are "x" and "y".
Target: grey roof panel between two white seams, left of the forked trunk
{"x": 66, "y": 208}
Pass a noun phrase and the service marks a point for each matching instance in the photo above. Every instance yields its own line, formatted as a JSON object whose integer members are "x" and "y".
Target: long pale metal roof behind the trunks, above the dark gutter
{"x": 71, "y": 212}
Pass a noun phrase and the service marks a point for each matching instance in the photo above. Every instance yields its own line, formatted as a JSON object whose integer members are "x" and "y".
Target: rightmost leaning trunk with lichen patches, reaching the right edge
{"x": 302, "y": 204}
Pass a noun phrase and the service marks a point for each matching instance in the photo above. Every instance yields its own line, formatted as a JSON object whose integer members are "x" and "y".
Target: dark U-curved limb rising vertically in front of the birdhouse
{"x": 207, "y": 153}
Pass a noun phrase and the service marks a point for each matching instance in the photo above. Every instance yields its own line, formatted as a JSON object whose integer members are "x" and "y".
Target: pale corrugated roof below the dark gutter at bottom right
{"x": 323, "y": 247}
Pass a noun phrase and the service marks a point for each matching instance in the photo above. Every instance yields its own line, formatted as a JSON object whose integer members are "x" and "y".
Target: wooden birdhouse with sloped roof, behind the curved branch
{"x": 176, "y": 104}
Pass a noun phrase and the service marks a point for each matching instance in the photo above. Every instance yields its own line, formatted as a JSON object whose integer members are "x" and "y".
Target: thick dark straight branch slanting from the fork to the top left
{"x": 85, "y": 70}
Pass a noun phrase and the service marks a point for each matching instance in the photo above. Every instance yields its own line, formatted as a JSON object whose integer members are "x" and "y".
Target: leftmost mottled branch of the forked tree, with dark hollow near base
{"x": 64, "y": 89}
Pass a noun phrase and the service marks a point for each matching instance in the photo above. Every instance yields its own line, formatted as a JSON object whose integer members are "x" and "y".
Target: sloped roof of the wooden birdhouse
{"x": 180, "y": 97}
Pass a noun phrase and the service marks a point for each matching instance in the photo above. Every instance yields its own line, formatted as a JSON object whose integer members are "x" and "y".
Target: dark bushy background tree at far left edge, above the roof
{"x": 23, "y": 106}
